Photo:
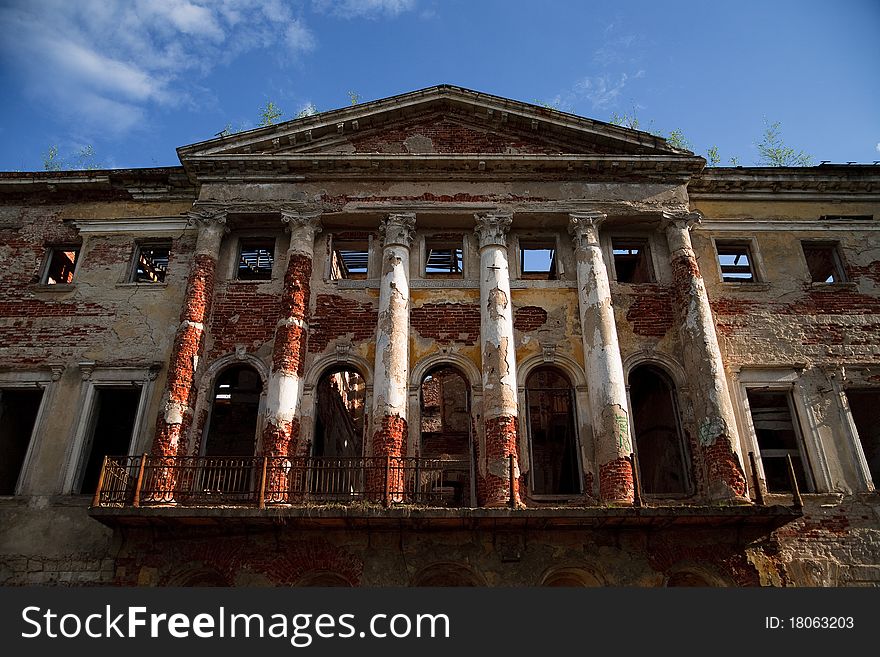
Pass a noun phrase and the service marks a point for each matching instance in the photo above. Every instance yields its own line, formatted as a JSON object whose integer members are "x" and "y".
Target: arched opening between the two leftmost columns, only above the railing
{"x": 234, "y": 412}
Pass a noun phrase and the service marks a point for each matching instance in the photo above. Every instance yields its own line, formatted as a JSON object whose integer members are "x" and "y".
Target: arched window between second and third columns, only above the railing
{"x": 339, "y": 420}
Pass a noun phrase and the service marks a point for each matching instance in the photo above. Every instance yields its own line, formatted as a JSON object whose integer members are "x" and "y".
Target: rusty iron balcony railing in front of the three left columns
{"x": 136, "y": 481}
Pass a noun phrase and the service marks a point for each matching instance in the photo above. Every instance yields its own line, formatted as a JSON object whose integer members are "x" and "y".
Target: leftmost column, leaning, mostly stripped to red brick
{"x": 179, "y": 399}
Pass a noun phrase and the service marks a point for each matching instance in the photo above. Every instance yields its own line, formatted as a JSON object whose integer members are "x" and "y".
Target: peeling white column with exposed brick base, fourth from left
{"x": 499, "y": 362}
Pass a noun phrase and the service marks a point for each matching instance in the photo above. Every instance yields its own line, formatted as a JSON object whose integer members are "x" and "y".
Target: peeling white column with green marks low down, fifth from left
{"x": 605, "y": 381}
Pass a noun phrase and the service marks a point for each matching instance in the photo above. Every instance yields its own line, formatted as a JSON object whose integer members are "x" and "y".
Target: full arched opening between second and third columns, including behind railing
{"x": 338, "y": 441}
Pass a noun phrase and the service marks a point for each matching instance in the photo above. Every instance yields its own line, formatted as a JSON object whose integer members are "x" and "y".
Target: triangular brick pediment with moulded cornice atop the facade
{"x": 439, "y": 120}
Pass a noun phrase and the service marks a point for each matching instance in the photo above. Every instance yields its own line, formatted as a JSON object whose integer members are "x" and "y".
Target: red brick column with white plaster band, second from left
{"x": 284, "y": 391}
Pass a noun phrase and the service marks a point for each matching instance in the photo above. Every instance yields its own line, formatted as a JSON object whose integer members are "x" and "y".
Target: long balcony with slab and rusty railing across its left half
{"x": 380, "y": 492}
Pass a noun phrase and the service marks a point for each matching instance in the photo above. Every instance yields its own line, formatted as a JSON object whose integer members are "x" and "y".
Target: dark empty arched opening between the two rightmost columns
{"x": 659, "y": 444}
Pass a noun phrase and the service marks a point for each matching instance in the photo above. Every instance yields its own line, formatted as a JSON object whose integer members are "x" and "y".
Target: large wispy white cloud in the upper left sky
{"x": 106, "y": 63}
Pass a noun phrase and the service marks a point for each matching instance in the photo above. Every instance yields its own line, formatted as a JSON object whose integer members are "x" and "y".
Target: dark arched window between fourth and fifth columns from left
{"x": 555, "y": 466}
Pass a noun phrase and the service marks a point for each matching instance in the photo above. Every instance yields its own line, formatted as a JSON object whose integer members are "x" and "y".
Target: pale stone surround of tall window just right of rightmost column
{"x": 781, "y": 379}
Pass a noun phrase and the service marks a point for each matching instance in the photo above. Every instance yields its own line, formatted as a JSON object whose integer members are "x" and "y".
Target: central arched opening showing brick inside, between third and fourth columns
{"x": 446, "y": 434}
